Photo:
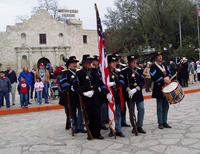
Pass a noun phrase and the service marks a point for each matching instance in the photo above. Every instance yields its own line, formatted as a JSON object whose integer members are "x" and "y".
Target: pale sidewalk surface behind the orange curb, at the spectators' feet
{"x": 55, "y": 101}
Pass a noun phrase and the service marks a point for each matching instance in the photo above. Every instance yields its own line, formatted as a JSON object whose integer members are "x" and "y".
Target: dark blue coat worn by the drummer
{"x": 157, "y": 77}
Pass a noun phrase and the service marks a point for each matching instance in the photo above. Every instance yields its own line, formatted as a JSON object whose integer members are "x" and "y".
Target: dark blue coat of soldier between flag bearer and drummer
{"x": 137, "y": 78}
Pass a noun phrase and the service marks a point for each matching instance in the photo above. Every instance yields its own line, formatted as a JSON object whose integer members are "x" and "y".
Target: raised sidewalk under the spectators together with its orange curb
{"x": 53, "y": 104}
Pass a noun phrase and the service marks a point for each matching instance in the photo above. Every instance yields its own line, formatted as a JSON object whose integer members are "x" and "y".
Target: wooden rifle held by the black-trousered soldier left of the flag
{"x": 84, "y": 114}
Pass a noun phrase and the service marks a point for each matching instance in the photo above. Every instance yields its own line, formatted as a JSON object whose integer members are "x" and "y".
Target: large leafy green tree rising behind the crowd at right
{"x": 139, "y": 24}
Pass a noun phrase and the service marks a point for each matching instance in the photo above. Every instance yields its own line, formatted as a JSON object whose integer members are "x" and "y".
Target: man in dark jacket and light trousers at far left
{"x": 13, "y": 79}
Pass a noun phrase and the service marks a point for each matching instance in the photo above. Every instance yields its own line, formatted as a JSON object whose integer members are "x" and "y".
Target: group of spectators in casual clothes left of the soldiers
{"x": 32, "y": 84}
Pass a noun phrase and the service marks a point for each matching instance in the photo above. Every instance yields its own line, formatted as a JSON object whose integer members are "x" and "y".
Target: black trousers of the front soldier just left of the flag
{"x": 93, "y": 108}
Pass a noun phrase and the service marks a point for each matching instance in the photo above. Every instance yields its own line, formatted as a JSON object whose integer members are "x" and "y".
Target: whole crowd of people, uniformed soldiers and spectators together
{"x": 126, "y": 82}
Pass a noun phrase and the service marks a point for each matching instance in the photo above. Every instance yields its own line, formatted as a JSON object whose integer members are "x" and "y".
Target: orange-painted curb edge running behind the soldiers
{"x": 55, "y": 107}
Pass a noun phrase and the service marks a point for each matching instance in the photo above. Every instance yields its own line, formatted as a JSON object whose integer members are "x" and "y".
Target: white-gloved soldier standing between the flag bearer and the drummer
{"x": 136, "y": 79}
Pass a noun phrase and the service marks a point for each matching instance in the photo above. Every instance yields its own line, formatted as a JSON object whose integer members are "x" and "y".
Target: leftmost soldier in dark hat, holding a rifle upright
{"x": 69, "y": 77}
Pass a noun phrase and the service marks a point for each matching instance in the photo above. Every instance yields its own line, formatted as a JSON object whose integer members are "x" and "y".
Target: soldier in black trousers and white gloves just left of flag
{"x": 88, "y": 79}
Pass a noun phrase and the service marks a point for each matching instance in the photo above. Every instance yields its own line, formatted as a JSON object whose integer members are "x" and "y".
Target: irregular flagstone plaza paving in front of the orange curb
{"x": 44, "y": 133}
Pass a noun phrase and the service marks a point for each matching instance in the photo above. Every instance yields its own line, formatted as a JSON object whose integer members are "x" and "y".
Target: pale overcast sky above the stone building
{"x": 11, "y": 8}
